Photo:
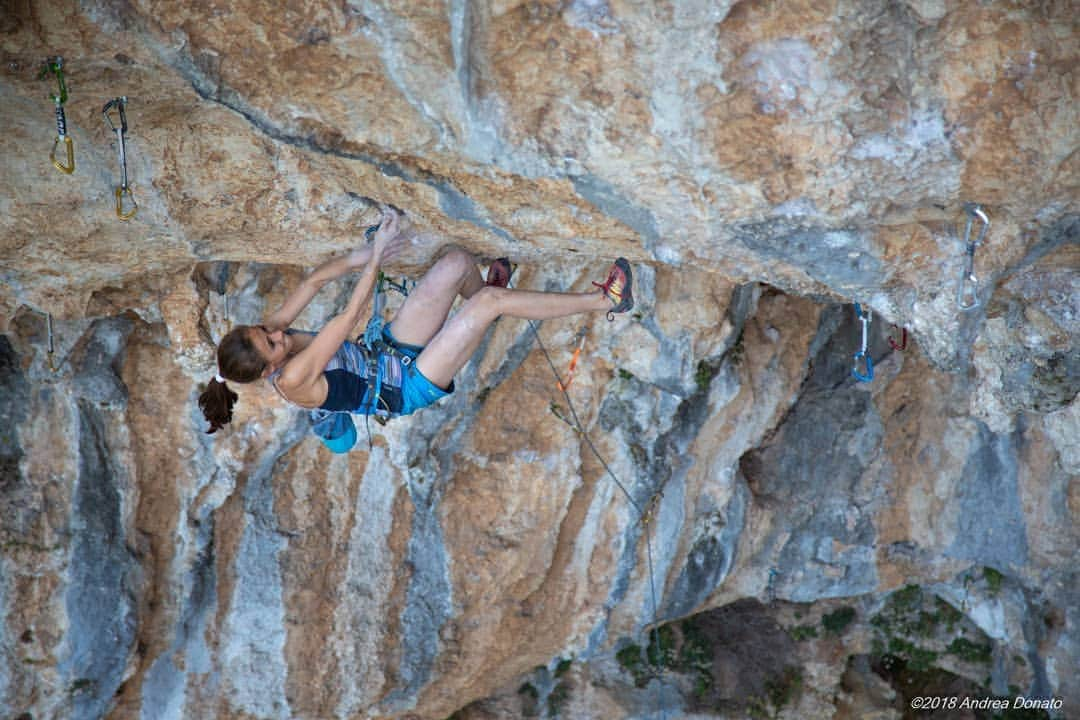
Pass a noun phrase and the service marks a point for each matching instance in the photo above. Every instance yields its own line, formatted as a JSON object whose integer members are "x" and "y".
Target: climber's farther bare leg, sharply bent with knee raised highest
{"x": 428, "y": 305}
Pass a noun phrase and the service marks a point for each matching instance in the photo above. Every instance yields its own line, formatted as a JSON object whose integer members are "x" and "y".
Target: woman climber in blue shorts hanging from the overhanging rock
{"x": 414, "y": 362}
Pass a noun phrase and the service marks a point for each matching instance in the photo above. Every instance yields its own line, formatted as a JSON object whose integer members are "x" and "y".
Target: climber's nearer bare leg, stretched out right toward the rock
{"x": 452, "y": 347}
